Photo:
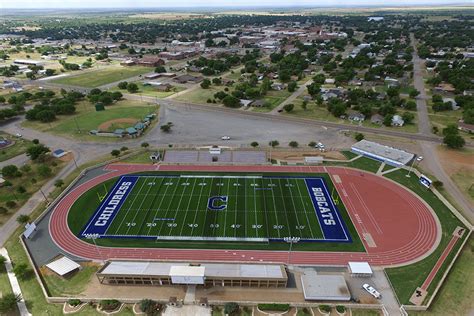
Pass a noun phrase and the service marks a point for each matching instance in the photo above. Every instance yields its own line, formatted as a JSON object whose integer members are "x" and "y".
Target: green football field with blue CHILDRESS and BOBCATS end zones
{"x": 201, "y": 207}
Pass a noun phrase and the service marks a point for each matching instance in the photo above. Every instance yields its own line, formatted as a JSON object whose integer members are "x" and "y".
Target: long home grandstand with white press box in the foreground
{"x": 209, "y": 274}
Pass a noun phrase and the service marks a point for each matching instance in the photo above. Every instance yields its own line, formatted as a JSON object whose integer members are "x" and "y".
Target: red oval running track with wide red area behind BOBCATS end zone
{"x": 395, "y": 226}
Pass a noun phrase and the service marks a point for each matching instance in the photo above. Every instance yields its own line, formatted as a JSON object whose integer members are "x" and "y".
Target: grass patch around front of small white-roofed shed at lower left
{"x": 73, "y": 285}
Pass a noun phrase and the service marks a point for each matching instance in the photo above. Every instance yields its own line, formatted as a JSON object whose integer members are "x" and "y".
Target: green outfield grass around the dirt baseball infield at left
{"x": 78, "y": 126}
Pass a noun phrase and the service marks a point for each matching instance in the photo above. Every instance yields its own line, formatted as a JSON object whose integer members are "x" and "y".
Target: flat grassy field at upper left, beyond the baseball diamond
{"x": 96, "y": 78}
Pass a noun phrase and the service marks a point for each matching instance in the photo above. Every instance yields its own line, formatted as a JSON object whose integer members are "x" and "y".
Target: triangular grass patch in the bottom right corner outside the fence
{"x": 457, "y": 293}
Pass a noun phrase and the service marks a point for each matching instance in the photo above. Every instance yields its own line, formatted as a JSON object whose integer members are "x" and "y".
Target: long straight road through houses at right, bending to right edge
{"x": 429, "y": 149}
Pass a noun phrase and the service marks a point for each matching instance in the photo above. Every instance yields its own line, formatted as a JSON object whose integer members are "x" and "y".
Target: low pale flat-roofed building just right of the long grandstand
{"x": 324, "y": 287}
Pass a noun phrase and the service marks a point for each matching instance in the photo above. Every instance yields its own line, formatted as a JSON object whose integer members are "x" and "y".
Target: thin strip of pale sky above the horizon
{"x": 44, "y": 4}
